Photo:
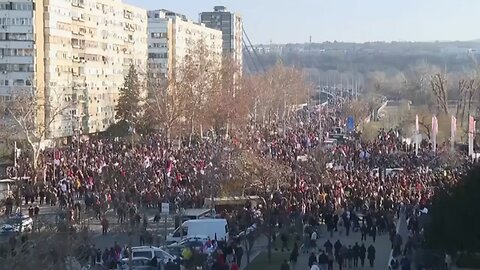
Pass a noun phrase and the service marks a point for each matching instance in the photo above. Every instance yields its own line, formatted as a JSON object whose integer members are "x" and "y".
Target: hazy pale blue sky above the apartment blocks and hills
{"x": 282, "y": 21}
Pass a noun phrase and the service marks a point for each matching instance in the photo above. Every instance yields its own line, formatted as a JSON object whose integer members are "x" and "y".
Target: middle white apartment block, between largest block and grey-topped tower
{"x": 171, "y": 36}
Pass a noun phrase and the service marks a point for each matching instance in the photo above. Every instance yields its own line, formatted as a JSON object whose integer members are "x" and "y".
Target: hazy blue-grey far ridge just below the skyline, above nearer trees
{"x": 369, "y": 57}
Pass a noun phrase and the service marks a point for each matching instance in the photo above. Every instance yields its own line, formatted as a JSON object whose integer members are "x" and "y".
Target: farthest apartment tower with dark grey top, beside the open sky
{"x": 231, "y": 25}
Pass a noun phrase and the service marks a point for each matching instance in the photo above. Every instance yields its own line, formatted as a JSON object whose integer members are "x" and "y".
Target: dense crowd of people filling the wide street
{"x": 364, "y": 187}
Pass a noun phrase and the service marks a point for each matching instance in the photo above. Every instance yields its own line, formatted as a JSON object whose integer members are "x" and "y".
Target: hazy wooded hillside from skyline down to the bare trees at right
{"x": 398, "y": 70}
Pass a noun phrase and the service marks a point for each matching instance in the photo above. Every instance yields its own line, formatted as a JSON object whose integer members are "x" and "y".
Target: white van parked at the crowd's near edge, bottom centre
{"x": 215, "y": 229}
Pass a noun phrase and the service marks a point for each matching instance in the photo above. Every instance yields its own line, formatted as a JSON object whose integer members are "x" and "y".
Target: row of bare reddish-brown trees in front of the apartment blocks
{"x": 204, "y": 94}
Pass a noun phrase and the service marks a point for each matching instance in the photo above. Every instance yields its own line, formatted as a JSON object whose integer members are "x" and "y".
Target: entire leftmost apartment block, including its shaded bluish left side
{"x": 82, "y": 50}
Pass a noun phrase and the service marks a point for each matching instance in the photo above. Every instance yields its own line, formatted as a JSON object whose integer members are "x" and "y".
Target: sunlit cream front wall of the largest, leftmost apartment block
{"x": 91, "y": 45}
